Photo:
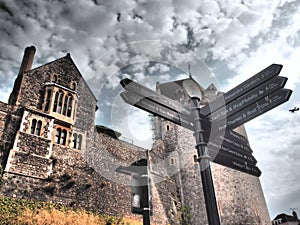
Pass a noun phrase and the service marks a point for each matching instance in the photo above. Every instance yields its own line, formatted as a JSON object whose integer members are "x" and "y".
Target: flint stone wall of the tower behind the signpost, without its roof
{"x": 239, "y": 195}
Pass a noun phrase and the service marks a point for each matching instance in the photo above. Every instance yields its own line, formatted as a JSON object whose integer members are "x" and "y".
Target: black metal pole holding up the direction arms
{"x": 204, "y": 161}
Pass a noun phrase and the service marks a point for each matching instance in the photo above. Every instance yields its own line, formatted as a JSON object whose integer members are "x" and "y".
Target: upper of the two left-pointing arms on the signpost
{"x": 132, "y": 86}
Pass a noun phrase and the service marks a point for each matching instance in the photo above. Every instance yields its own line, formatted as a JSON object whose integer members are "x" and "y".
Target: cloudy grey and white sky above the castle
{"x": 232, "y": 39}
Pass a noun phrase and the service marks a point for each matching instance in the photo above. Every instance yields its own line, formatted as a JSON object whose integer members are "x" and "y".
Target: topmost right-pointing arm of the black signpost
{"x": 241, "y": 89}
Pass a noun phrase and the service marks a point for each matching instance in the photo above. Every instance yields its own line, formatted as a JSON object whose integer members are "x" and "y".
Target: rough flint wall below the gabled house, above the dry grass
{"x": 75, "y": 182}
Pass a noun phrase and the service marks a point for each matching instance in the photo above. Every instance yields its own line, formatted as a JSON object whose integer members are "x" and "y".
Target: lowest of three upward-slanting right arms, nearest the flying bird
{"x": 267, "y": 103}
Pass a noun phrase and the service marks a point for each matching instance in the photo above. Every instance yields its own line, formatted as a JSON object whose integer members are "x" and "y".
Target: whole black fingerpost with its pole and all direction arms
{"x": 255, "y": 96}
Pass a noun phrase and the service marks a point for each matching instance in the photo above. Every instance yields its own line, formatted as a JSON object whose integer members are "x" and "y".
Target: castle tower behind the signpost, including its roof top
{"x": 239, "y": 195}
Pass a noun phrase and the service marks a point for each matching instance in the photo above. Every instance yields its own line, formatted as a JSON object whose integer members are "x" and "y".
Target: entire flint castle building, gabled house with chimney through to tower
{"x": 50, "y": 147}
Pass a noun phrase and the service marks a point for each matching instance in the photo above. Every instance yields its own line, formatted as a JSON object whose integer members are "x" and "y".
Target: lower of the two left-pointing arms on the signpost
{"x": 157, "y": 109}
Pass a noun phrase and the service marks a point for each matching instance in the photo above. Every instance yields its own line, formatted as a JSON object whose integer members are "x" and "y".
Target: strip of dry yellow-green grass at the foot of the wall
{"x": 25, "y": 212}
